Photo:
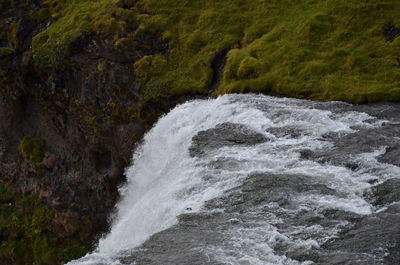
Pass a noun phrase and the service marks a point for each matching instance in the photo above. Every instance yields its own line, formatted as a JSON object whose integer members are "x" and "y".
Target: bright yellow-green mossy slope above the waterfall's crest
{"x": 328, "y": 50}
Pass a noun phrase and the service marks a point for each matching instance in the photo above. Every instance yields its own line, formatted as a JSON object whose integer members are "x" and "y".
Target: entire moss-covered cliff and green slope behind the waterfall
{"x": 81, "y": 81}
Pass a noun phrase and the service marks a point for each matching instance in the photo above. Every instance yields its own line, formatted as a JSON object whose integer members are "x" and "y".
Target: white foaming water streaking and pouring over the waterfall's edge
{"x": 164, "y": 180}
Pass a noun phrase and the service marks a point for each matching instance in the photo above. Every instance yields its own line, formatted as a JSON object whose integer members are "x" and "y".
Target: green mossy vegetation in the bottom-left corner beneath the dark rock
{"x": 27, "y": 231}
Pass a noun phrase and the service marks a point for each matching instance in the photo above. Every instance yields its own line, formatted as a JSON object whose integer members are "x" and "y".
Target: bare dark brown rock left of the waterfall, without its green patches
{"x": 86, "y": 111}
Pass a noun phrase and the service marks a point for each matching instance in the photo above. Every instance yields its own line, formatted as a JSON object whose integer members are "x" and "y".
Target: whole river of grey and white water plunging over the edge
{"x": 250, "y": 179}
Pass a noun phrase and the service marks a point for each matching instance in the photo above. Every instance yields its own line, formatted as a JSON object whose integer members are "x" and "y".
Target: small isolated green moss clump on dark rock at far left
{"x": 32, "y": 150}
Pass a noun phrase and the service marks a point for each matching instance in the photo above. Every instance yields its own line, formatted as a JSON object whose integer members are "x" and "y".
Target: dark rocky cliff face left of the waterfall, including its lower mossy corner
{"x": 66, "y": 134}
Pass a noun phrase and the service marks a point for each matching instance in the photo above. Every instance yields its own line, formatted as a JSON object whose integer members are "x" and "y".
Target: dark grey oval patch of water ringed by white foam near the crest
{"x": 224, "y": 134}
